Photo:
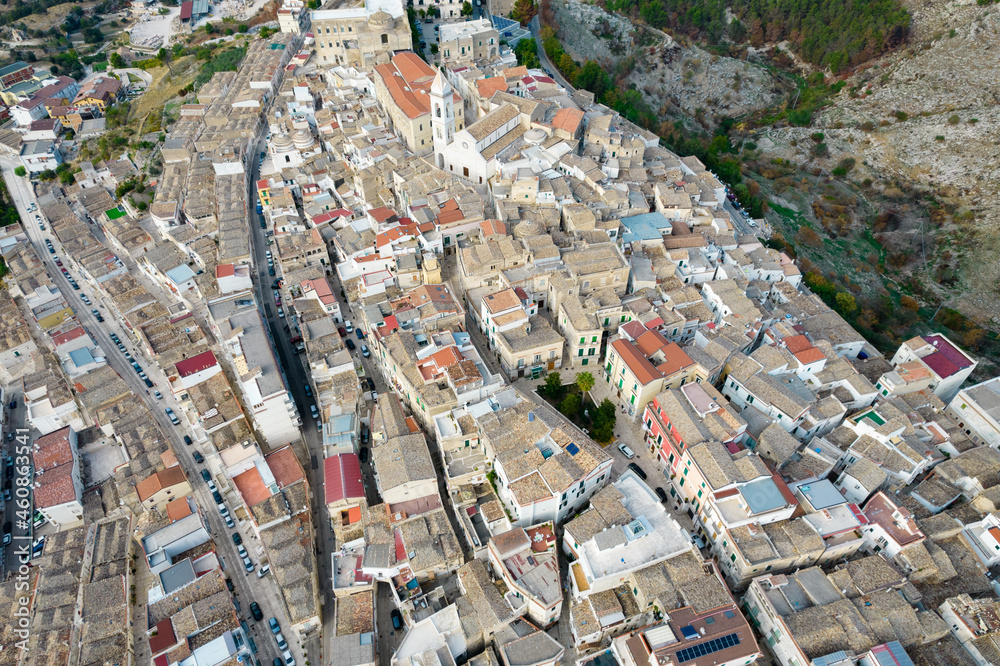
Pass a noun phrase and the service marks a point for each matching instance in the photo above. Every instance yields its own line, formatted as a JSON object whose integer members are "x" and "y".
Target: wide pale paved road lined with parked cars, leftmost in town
{"x": 248, "y": 587}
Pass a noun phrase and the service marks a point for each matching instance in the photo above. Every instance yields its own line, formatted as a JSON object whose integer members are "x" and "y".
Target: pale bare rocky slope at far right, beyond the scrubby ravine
{"x": 922, "y": 126}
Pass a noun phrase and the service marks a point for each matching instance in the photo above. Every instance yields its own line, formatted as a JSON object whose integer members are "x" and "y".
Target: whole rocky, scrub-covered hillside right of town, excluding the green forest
{"x": 882, "y": 182}
